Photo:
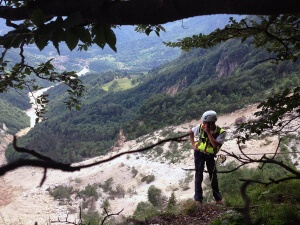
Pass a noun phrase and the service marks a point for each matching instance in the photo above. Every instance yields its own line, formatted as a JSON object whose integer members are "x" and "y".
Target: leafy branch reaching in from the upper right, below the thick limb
{"x": 278, "y": 34}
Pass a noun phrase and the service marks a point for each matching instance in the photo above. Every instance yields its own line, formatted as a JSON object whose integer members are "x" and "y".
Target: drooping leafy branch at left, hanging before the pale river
{"x": 17, "y": 77}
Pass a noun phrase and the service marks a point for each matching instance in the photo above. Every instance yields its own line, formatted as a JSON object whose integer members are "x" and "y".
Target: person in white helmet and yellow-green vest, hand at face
{"x": 209, "y": 139}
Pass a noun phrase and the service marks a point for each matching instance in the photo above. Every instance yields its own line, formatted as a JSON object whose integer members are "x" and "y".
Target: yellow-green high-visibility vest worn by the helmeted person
{"x": 204, "y": 144}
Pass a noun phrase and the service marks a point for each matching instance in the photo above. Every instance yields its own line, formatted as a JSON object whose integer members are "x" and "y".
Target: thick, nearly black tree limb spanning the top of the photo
{"x": 149, "y": 11}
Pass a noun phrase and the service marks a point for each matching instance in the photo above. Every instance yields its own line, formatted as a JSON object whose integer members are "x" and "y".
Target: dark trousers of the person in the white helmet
{"x": 200, "y": 160}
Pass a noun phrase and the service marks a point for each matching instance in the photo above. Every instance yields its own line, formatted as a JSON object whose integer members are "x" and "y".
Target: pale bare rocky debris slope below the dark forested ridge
{"x": 23, "y": 200}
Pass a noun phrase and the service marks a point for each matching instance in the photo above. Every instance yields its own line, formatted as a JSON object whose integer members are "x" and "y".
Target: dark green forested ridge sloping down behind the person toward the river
{"x": 224, "y": 78}
